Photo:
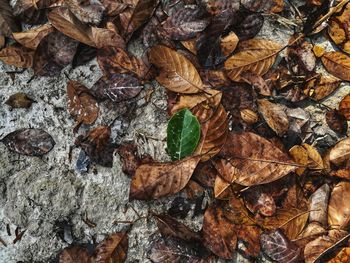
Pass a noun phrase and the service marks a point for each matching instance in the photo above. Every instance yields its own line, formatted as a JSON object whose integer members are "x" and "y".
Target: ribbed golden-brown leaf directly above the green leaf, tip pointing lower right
{"x": 177, "y": 74}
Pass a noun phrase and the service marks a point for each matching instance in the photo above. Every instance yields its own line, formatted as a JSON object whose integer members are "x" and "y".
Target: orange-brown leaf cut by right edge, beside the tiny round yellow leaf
{"x": 338, "y": 64}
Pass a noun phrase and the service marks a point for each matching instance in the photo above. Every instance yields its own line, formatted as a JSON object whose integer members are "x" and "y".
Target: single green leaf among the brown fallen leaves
{"x": 183, "y": 134}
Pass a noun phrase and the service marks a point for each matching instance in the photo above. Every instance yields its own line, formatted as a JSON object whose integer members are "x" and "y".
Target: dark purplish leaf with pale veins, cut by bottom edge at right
{"x": 279, "y": 248}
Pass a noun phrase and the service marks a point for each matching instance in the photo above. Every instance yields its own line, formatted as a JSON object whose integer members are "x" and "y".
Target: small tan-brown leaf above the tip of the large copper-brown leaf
{"x": 275, "y": 116}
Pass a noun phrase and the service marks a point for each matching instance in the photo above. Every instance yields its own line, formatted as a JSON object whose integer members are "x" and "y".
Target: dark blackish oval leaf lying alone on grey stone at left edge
{"x": 33, "y": 142}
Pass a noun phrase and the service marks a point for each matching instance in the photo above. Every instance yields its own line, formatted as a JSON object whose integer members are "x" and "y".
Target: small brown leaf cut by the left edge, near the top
{"x": 17, "y": 56}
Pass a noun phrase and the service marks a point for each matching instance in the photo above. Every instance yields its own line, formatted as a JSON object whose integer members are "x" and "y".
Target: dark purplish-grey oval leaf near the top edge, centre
{"x": 185, "y": 23}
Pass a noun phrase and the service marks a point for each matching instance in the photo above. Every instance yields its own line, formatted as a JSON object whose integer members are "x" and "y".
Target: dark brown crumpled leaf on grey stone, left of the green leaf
{"x": 97, "y": 145}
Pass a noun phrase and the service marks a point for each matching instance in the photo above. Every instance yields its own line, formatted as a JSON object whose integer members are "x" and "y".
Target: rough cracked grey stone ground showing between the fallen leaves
{"x": 39, "y": 194}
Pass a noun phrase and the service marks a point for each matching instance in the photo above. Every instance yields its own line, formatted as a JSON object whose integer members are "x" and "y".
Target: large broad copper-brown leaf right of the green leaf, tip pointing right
{"x": 257, "y": 160}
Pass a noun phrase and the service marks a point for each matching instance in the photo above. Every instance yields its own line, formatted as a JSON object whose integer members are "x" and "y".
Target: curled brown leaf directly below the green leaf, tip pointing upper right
{"x": 155, "y": 180}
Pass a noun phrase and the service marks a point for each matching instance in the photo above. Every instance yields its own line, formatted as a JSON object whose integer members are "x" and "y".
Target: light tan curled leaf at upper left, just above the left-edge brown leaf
{"x": 32, "y": 37}
